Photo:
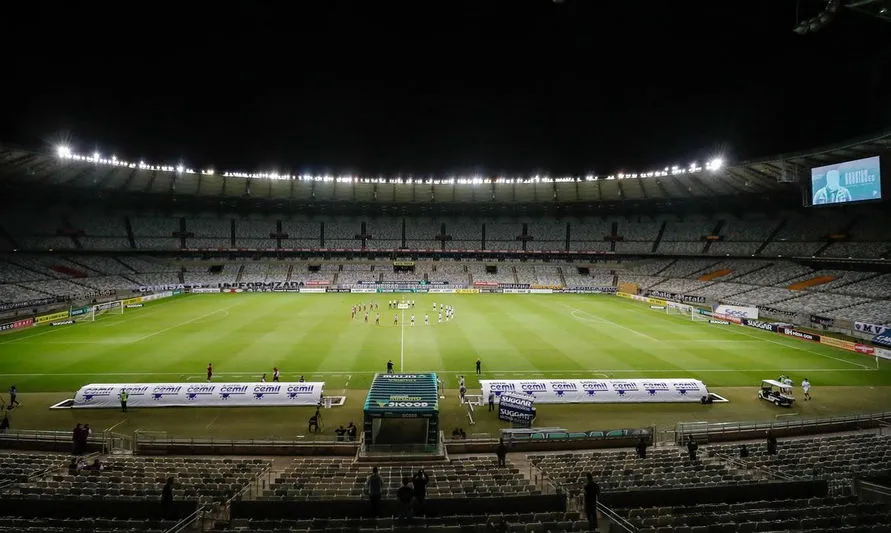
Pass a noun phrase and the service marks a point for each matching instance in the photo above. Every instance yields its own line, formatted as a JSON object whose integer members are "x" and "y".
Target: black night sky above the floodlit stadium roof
{"x": 442, "y": 86}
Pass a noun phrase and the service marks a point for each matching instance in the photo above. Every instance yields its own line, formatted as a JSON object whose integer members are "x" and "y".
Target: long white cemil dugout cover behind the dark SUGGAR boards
{"x": 600, "y": 390}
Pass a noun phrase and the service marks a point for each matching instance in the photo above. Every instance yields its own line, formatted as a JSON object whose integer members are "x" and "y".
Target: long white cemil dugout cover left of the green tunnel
{"x": 108, "y": 395}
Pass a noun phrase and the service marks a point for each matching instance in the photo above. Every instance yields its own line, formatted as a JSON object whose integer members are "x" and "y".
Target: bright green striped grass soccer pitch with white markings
{"x": 515, "y": 336}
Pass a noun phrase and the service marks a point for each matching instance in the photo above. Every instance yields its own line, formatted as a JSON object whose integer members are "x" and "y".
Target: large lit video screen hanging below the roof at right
{"x": 851, "y": 181}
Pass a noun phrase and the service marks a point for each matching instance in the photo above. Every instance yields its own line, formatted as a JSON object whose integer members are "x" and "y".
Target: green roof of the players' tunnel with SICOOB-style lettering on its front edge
{"x": 403, "y": 395}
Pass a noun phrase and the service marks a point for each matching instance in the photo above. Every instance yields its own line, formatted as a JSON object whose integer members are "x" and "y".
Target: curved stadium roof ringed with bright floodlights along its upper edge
{"x": 106, "y": 176}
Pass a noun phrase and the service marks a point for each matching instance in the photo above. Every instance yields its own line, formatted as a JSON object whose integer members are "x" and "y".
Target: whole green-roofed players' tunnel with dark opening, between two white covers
{"x": 402, "y": 413}
